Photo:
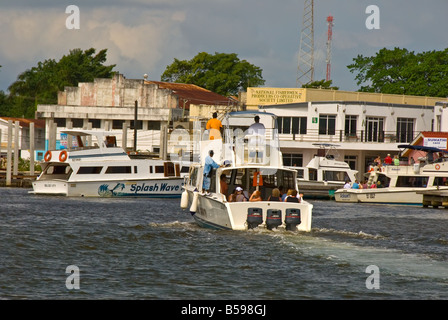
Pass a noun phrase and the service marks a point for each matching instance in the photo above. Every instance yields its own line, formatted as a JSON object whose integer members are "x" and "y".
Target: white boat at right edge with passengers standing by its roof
{"x": 401, "y": 184}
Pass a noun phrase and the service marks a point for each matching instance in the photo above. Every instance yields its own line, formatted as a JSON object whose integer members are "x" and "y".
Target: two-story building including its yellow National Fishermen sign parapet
{"x": 361, "y": 125}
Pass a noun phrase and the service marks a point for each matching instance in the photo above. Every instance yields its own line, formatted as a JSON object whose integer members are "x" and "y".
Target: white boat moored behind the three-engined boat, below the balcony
{"x": 324, "y": 173}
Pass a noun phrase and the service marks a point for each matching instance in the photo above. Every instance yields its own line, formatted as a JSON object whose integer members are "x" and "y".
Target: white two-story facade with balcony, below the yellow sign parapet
{"x": 362, "y": 130}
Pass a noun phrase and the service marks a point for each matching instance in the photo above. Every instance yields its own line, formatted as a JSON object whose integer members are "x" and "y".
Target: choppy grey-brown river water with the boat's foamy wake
{"x": 151, "y": 249}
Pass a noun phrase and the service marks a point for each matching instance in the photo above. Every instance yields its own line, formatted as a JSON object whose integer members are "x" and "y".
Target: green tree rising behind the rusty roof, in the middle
{"x": 222, "y": 73}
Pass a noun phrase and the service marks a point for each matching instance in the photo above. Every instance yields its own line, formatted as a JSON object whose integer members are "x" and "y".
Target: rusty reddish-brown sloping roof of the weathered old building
{"x": 193, "y": 94}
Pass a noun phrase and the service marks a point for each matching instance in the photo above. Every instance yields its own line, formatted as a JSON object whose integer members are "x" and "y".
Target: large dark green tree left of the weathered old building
{"x": 40, "y": 84}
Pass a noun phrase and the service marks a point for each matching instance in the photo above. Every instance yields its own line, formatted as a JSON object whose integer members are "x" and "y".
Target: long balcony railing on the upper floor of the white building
{"x": 358, "y": 136}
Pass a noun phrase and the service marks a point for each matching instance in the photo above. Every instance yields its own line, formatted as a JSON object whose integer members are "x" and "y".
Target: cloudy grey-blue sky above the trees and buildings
{"x": 145, "y": 36}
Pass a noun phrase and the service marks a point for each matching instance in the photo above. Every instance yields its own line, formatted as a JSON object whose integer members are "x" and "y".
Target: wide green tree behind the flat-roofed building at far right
{"x": 400, "y": 71}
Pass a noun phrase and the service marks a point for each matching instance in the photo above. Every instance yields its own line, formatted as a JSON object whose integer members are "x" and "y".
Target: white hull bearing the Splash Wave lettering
{"x": 152, "y": 188}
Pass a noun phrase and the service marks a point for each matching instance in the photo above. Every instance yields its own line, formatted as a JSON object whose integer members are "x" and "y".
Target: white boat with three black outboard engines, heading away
{"x": 252, "y": 166}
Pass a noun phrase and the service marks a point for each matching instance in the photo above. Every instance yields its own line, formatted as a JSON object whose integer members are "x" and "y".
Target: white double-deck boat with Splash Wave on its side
{"x": 93, "y": 166}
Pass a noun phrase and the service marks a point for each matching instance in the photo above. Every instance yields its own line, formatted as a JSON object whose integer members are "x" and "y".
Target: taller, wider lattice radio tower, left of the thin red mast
{"x": 305, "y": 69}
